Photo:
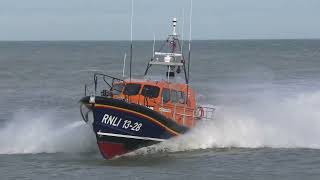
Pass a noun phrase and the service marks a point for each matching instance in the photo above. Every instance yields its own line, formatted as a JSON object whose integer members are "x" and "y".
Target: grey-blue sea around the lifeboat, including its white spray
{"x": 267, "y": 124}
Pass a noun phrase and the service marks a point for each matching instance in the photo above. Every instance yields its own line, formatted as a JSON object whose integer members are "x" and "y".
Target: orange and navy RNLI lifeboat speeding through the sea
{"x": 132, "y": 113}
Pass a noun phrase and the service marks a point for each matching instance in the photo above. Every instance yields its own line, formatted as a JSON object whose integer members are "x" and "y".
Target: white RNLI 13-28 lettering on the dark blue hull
{"x": 116, "y": 121}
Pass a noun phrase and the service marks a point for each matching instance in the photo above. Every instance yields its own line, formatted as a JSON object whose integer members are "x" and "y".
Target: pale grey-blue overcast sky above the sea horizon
{"x": 110, "y": 19}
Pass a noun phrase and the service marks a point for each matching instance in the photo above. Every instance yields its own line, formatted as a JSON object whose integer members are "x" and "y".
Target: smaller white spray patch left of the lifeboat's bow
{"x": 40, "y": 132}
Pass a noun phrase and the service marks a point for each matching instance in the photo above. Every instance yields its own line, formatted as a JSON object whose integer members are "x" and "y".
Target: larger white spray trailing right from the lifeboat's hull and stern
{"x": 274, "y": 122}
